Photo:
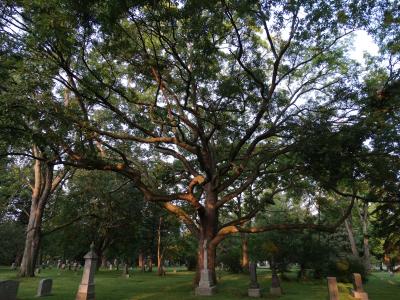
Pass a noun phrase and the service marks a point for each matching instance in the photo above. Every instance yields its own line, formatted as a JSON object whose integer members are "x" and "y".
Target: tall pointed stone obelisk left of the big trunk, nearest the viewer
{"x": 86, "y": 288}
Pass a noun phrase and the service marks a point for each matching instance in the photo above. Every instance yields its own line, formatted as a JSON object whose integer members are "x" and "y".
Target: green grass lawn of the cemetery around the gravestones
{"x": 110, "y": 285}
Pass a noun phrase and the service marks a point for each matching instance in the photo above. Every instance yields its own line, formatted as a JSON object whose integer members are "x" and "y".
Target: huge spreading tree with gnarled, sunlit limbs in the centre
{"x": 193, "y": 101}
